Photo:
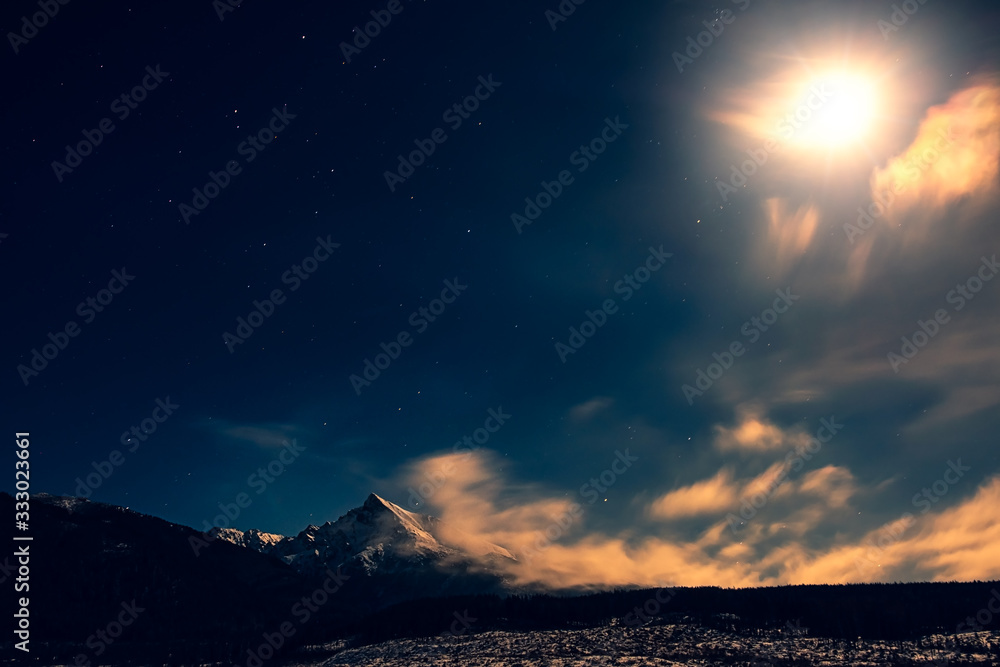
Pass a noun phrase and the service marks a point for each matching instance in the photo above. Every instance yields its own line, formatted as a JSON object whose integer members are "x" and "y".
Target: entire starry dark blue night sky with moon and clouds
{"x": 533, "y": 268}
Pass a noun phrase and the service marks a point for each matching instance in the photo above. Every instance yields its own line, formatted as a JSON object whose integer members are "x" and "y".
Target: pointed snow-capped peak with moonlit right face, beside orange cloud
{"x": 383, "y": 541}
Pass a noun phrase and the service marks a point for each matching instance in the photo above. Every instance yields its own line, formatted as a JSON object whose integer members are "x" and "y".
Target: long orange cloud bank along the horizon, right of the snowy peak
{"x": 790, "y": 542}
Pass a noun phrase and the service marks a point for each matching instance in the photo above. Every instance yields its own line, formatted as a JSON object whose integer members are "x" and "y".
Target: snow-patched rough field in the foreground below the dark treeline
{"x": 664, "y": 645}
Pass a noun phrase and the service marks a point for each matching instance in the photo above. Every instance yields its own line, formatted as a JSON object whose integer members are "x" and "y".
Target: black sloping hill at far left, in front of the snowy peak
{"x": 88, "y": 562}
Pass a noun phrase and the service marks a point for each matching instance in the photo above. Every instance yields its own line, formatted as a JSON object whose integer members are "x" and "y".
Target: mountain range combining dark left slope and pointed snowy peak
{"x": 223, "y": 592}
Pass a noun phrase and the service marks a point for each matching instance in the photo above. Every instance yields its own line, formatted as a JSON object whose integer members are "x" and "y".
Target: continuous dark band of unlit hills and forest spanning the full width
{"x": 88, "y": 559}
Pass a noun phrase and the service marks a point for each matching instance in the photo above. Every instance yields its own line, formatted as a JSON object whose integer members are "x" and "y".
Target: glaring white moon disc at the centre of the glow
{"x": 840, "y": 112}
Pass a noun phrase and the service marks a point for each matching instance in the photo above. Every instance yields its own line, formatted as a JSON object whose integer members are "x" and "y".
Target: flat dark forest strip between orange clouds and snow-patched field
{"x": 849, "y": 611}
